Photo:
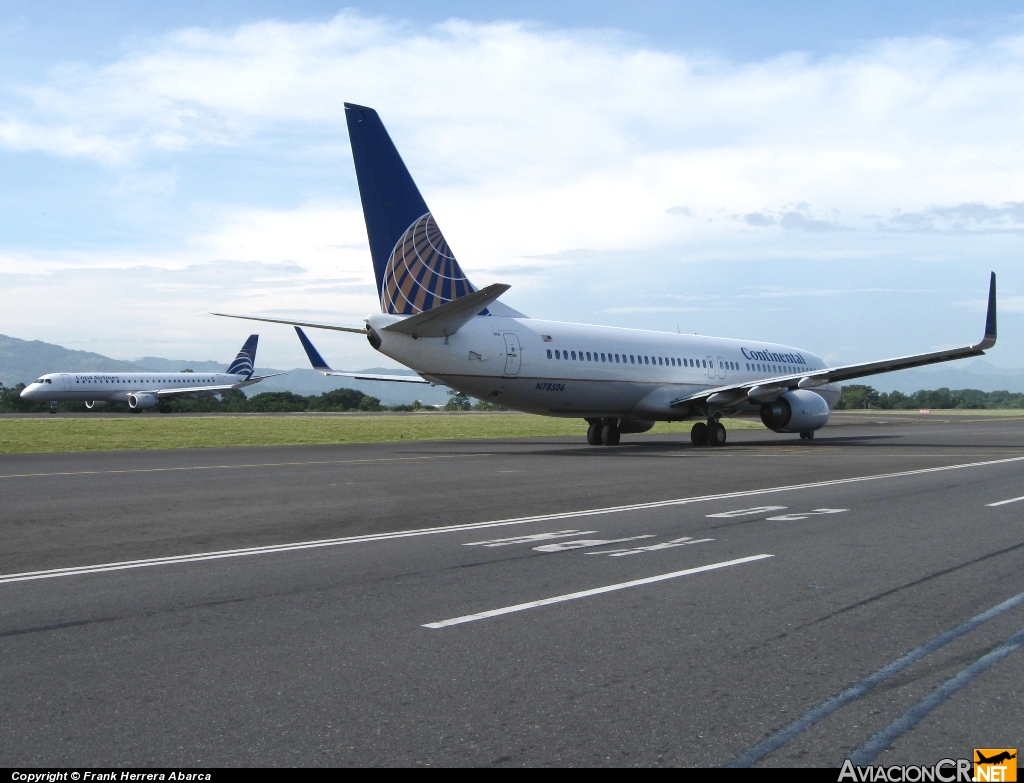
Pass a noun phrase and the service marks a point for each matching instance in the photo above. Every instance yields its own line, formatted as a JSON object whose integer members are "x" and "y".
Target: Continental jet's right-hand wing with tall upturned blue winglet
{"x": 767, "y": 389}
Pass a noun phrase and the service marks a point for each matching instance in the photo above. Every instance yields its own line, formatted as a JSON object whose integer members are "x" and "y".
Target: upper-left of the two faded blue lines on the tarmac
{"x": 821, "y": 713}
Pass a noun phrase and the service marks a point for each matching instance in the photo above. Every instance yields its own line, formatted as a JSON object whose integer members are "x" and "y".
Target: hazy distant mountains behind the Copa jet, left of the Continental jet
{"x": 25, "y": 361}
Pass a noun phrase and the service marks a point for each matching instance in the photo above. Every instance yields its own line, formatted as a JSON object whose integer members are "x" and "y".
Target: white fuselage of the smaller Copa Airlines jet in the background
{"x": 115, "y": 387}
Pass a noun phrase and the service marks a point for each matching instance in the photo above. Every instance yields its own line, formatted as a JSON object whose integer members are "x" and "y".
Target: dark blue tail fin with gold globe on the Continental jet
{"x": 414, "y": 267}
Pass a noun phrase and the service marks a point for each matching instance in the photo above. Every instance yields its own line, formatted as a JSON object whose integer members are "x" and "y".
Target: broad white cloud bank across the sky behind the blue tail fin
{"x": 529, "y": 144}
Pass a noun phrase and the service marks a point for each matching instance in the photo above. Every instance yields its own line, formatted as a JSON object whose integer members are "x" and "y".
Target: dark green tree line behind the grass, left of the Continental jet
{"x": 235, "y": 402}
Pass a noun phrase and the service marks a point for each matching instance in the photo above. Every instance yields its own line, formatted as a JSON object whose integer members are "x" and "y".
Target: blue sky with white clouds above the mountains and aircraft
{"x": 836, "y": 177}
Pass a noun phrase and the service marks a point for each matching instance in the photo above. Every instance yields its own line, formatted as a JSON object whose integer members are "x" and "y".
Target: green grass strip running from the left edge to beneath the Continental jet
{"x": 152, "y": 431}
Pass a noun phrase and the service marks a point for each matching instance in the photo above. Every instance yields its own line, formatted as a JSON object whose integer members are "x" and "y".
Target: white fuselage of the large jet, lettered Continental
{"x": 581, "y": 371}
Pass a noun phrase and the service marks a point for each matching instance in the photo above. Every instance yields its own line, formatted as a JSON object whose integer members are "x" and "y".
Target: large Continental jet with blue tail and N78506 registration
{"x": 619, "y": 380}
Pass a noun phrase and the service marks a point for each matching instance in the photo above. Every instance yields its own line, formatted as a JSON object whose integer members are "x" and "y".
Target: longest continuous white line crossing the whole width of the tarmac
{"x": 270, "y": 550}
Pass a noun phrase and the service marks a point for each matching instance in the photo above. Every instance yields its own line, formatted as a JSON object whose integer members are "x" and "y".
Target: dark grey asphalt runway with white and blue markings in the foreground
{"x": 525, "y": 602}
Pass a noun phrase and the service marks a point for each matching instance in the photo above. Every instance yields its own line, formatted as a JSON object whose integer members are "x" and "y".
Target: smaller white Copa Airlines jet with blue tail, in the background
{"x": 144, "y": 390}
